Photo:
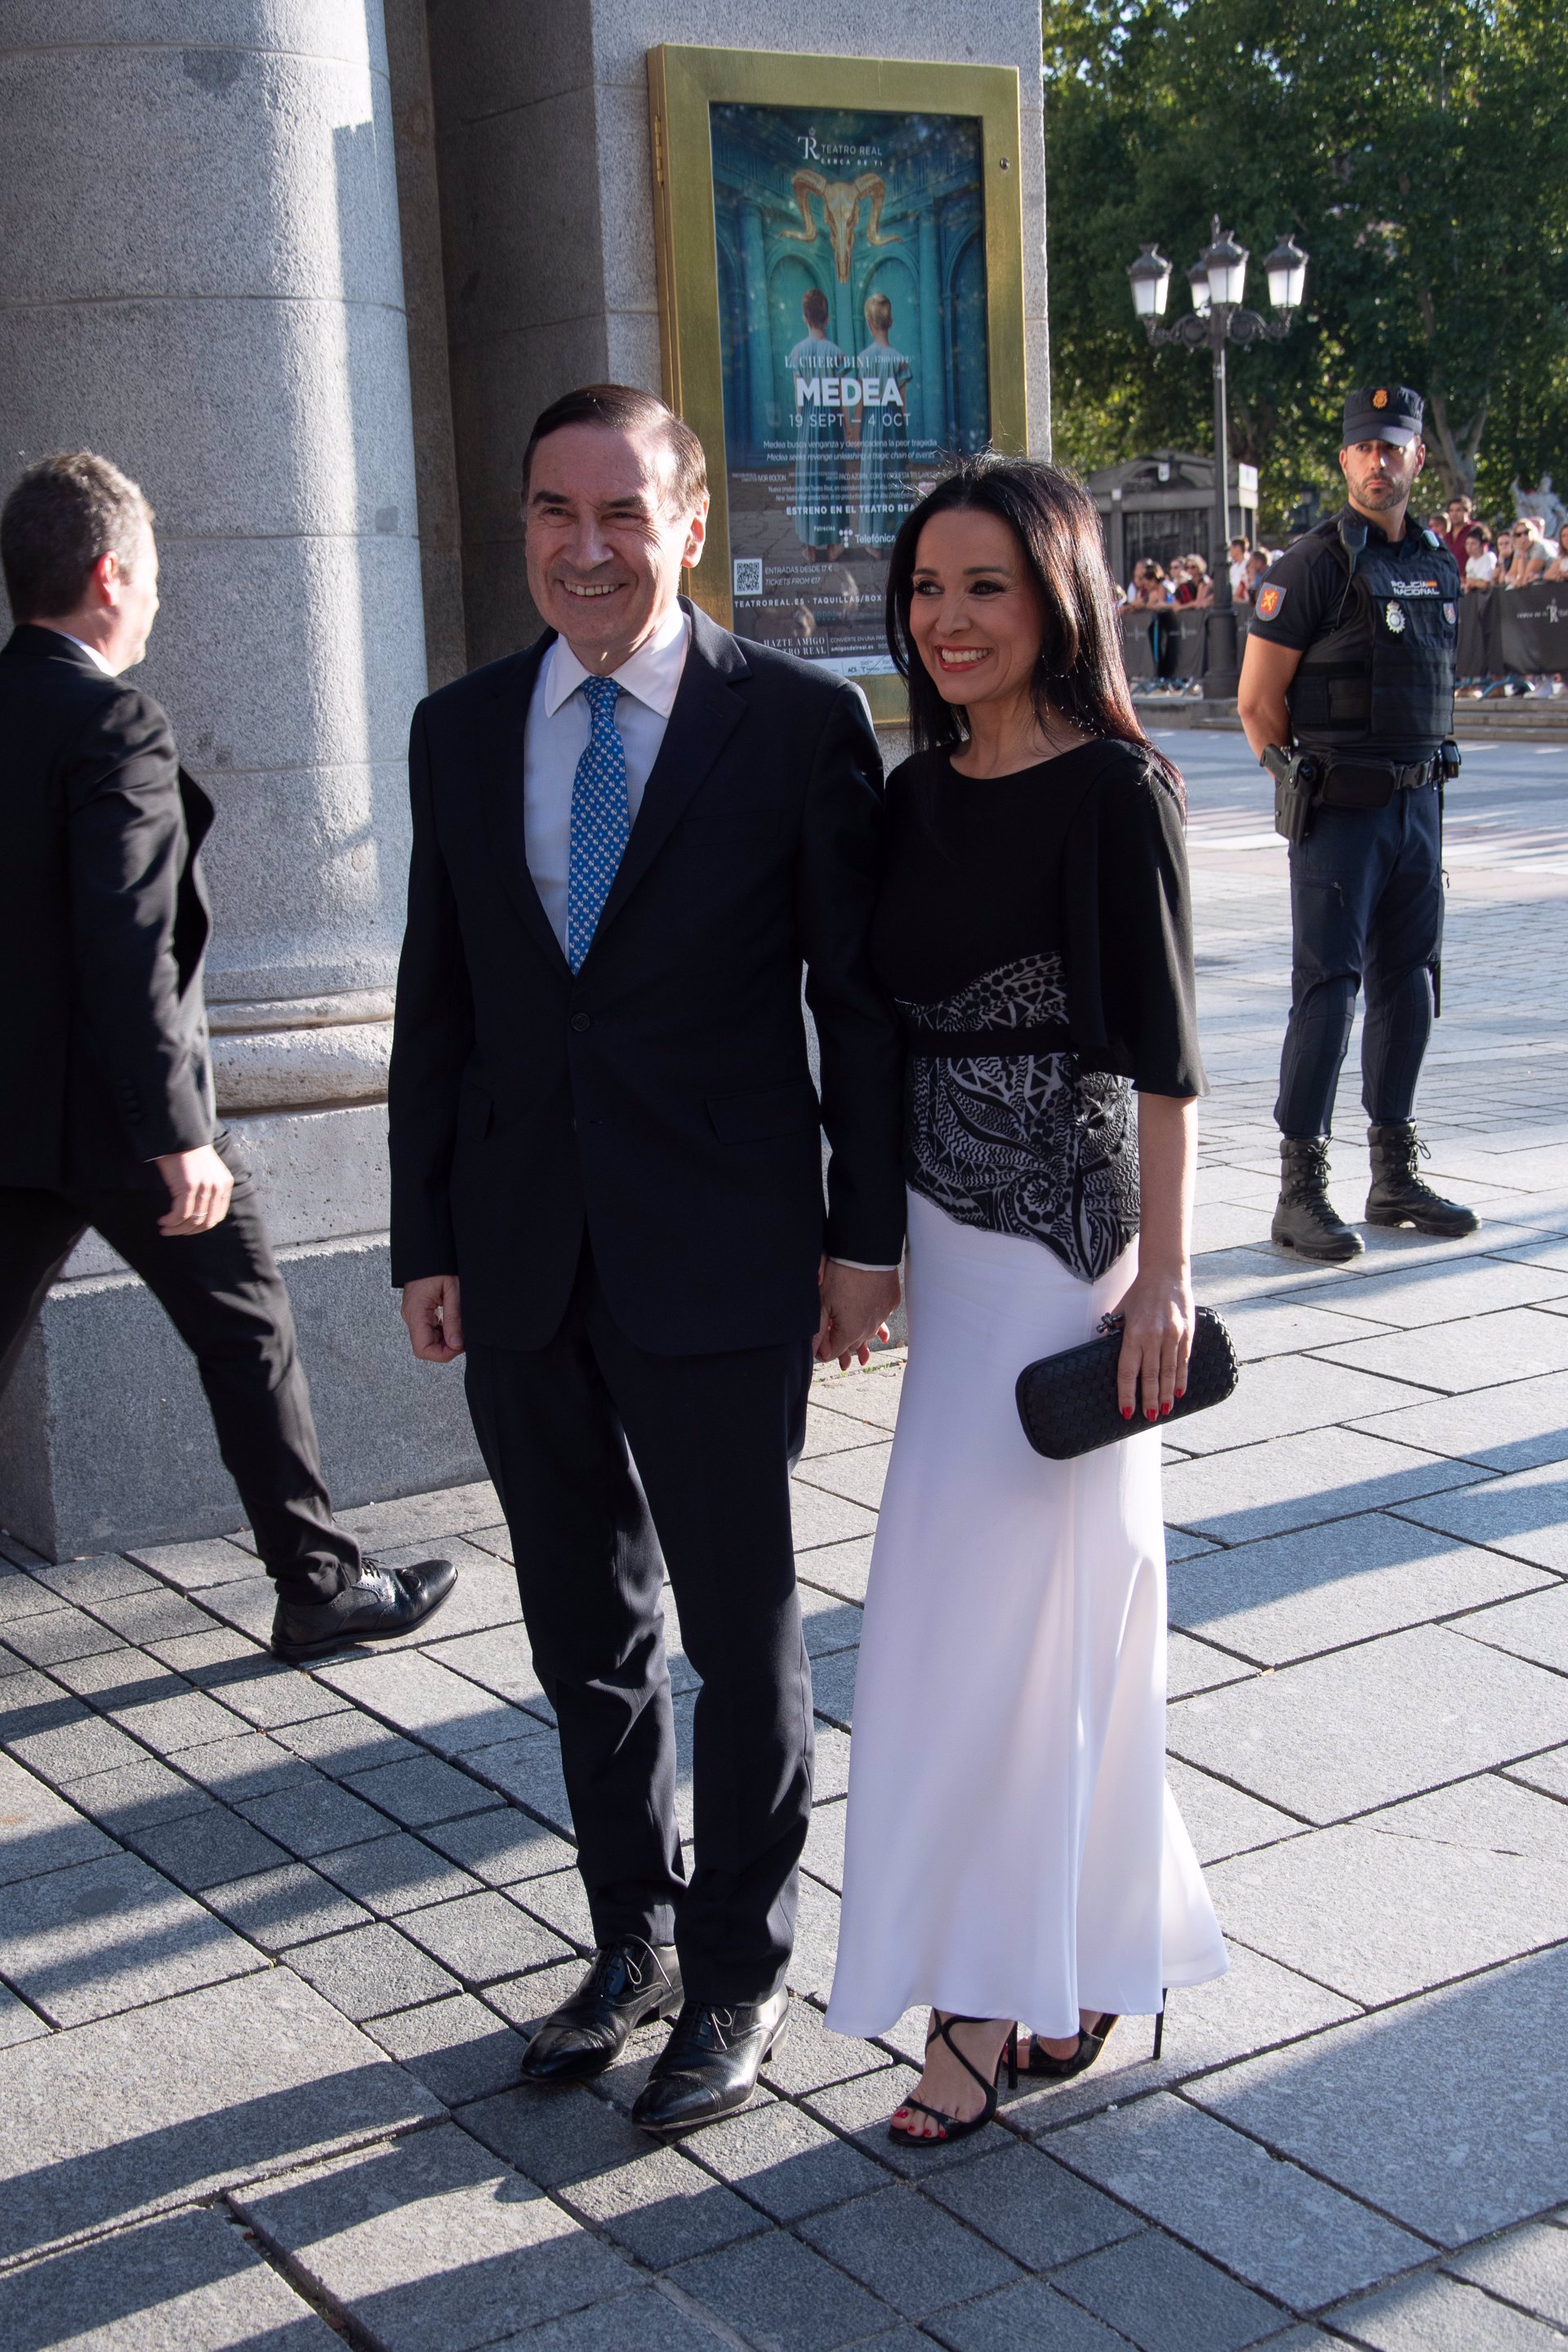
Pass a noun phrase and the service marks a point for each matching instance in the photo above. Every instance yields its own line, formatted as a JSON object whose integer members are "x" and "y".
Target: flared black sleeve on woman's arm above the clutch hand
{"x": 1127, "y": 923}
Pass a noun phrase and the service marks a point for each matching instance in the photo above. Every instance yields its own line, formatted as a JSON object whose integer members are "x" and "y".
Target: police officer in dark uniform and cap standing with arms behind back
{"x": 1348, "y": 700}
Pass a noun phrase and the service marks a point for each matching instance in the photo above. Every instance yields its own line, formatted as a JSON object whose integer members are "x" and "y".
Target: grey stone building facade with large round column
{"x": 309, "y": 269}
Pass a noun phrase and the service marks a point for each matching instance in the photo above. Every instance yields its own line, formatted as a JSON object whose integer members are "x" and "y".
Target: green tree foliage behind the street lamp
{"x": 1419, "y": 149}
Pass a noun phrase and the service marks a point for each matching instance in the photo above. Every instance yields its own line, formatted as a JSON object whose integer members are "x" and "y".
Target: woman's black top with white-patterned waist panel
{"x": 1036, "y": 935}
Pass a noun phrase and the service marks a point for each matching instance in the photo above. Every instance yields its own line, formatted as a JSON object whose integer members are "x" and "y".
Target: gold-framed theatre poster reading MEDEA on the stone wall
{"x": 843, "y": 314}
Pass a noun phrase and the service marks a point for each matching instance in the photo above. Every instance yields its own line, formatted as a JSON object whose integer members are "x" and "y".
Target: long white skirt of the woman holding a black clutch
{"x": 1012, "y": 1845}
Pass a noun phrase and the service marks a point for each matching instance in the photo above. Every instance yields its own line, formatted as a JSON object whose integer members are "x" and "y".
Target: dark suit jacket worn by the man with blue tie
{"x": 664, "y": 1097}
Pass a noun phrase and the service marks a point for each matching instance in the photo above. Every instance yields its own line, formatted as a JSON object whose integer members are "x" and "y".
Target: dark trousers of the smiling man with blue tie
{"x": 713, "y": 1441}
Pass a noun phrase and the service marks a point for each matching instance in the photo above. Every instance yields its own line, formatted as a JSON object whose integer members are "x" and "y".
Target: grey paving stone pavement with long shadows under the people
{"x": 272, "y": 1944}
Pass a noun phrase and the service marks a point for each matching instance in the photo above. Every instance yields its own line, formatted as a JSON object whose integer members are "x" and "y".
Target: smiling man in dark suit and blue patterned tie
{"x": 608, "y": 1189}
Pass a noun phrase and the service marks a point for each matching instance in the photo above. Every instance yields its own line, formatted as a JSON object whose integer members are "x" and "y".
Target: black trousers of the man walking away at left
{"x": 225, "y": 1297}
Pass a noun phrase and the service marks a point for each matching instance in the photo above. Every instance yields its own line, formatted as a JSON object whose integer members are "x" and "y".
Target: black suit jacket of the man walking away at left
{"x": 102, "y": 928}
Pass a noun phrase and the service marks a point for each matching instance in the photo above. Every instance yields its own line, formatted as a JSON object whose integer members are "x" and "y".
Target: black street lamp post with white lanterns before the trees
{"x": 1221, "y": 319}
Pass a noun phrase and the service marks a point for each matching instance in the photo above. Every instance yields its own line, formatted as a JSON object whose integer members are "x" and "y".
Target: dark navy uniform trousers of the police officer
{"x": 1367, "y": 904}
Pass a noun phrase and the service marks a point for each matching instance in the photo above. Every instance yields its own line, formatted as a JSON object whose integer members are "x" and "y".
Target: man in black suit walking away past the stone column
{"x": 107, "y": 1100}
